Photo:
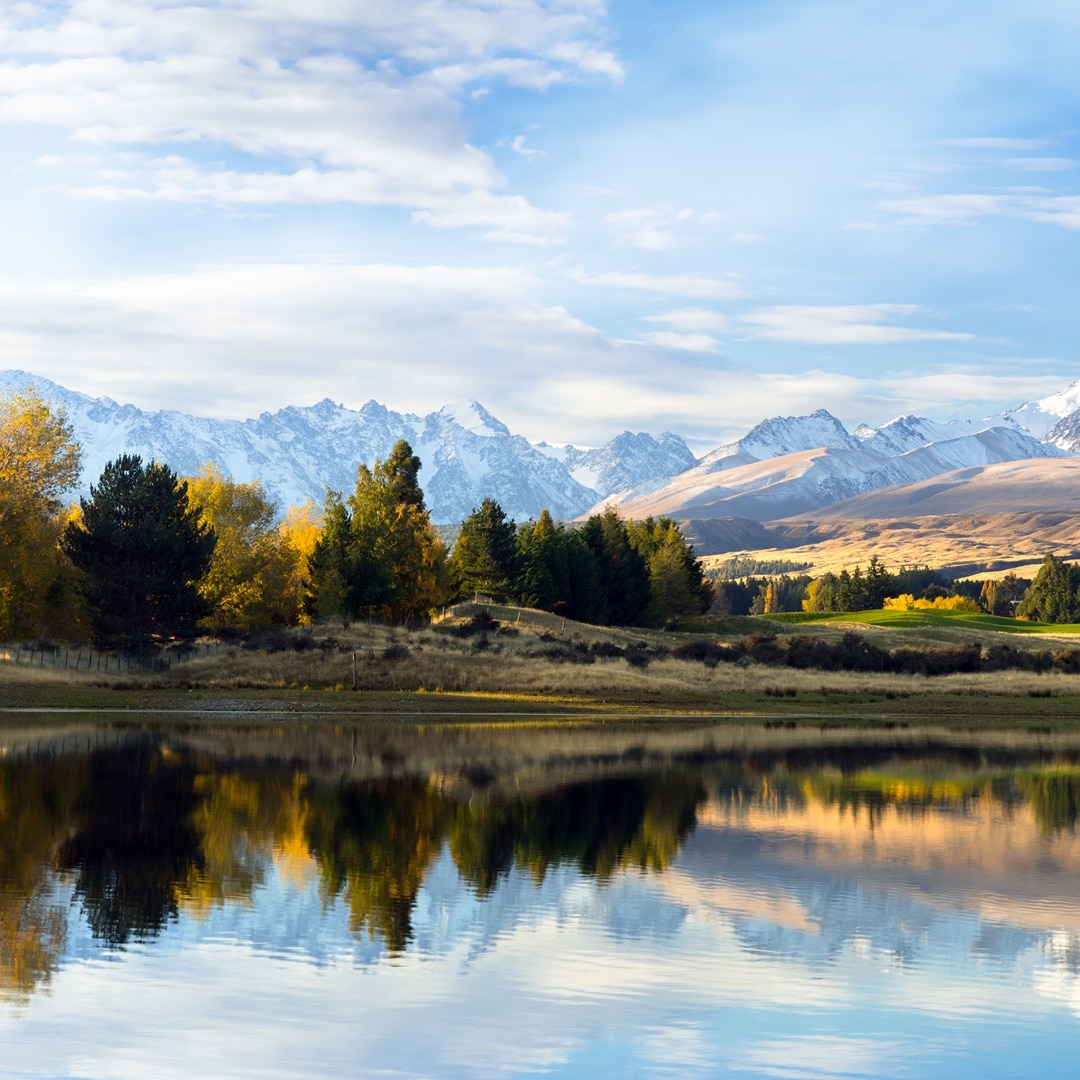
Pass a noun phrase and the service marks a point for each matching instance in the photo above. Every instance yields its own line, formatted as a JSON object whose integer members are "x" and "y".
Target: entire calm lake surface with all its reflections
{"x": 374, "y": 901}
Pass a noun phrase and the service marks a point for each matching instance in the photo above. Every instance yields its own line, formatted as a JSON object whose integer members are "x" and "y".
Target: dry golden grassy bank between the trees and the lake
{"x": 530, "y": 667}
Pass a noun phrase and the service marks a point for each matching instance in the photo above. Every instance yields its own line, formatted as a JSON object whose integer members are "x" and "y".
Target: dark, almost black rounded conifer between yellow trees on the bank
{"x": 142, "y": 550}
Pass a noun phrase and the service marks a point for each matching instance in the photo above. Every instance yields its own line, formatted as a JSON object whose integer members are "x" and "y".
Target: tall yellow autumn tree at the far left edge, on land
{"x": 39, "y": 462}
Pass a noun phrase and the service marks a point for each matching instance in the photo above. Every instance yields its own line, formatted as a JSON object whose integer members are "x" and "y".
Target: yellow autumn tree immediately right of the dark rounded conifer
{"x": 252, "y": 578}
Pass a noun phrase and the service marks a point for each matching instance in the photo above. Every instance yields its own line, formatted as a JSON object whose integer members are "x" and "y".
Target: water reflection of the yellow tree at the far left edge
{"x": 35, "y": 807}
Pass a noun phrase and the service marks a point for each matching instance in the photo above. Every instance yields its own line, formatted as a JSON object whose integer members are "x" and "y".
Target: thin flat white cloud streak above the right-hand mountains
{"x": 853, "y": 325}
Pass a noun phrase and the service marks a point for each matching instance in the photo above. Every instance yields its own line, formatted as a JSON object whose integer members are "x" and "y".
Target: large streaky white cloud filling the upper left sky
{"x": 336, "y": 102}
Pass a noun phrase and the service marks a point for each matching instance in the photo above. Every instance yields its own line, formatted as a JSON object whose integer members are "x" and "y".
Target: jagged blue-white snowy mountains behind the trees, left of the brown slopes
{"x": 299, "y": 453}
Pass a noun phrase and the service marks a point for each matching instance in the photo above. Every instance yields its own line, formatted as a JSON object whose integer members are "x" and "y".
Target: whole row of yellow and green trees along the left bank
{"x": 153, "y": 556}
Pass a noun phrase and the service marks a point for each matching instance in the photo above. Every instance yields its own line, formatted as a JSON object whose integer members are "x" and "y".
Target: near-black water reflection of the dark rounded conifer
{"x": 134, "y": 841}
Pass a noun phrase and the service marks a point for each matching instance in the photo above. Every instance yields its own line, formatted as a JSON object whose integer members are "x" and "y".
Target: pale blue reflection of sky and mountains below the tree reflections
{"x": 752, "y": 956}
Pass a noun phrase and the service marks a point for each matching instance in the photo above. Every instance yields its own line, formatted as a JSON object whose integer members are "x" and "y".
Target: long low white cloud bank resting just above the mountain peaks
{"x": 418, "y": 337}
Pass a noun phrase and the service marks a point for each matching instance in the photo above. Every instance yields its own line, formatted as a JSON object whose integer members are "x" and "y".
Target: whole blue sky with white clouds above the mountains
{"x": 588, "y": 217}
